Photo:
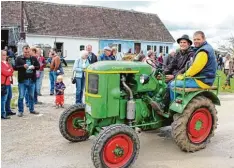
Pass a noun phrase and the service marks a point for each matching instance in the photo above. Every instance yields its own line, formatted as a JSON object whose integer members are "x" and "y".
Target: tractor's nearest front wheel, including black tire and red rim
{"x": 116, "y": 146}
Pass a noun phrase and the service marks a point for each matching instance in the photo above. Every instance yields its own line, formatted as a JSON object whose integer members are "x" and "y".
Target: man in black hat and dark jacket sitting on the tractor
{"x": 177, "y": 64}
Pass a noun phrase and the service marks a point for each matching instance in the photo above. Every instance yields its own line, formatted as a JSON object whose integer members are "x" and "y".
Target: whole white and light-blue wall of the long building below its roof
{"x": 72, "y": 46}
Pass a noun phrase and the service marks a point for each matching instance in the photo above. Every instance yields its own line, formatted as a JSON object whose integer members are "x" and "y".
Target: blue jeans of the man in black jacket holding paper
{"x": 29, "y": 86}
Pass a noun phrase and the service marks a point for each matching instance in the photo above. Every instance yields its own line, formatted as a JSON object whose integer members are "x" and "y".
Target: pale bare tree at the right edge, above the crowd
{"x": 227, "y": 46}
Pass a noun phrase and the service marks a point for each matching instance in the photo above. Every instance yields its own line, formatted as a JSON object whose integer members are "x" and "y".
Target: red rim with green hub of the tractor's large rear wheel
{"x": 199, "y": 125}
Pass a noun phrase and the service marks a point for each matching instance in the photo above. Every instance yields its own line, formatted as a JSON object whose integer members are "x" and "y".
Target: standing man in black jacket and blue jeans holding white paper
{"x": 26, "y": 65}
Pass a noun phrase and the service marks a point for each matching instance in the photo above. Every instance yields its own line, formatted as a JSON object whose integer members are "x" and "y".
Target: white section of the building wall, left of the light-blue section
{"x": 71, "y": 46}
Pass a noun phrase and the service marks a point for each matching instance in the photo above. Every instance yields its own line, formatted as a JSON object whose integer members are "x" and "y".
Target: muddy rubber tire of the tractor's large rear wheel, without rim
{"x": 180, "y": 124}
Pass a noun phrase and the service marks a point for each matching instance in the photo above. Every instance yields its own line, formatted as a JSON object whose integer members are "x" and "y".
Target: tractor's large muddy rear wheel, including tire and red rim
{"x": 194, "y": 128}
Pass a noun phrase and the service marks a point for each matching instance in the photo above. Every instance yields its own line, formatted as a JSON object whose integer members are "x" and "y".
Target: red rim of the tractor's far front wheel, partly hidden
{"x": 72, "y": 130}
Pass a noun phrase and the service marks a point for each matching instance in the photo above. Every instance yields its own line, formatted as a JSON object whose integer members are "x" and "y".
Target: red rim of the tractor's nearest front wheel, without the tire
{"x": 117, "y": 151}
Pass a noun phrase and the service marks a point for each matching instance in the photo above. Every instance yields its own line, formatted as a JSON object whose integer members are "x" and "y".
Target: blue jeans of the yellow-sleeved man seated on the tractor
{"x": 189, "y": 83}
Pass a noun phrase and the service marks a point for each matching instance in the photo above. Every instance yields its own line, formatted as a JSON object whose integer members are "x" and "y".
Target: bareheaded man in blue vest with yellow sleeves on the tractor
{"x": 203, "y": 66}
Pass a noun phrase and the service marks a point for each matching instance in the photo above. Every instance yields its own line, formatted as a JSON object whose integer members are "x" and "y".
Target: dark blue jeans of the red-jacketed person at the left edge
{"x": 6, "y": 102}
